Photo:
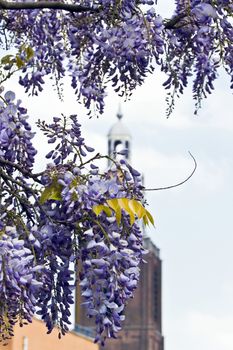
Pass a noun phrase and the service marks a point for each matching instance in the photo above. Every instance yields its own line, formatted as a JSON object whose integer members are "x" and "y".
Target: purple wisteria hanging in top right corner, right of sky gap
{"x": 198, "y": 43}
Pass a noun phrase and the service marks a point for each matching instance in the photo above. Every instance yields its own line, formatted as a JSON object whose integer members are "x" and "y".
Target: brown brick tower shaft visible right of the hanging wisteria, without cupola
{"x": 142, "y": 328}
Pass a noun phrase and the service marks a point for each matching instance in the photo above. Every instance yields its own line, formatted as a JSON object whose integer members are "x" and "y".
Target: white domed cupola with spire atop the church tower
{"x": 119, "y": 140}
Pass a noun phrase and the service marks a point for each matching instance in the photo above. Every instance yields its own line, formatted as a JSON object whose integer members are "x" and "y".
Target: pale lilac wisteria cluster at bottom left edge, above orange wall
{"x": 19, "y": 281}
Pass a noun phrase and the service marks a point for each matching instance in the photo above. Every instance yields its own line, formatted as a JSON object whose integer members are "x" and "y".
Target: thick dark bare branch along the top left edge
{"x": 55, "y": 5}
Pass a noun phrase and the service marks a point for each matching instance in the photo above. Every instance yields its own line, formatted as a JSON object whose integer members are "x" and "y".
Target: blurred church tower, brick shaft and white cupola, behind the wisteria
{"x": 142, "y": 328}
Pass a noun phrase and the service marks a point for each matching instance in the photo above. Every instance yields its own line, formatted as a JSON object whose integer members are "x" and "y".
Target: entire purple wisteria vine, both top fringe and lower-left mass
{"x": 72, "y": 212}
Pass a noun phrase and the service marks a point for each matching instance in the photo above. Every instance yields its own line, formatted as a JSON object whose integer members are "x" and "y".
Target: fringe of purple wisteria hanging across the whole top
{"x": 121, "y": 43}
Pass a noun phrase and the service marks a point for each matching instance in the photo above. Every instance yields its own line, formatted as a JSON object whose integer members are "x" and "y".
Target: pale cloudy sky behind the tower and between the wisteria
{"x": 194, "y": 222}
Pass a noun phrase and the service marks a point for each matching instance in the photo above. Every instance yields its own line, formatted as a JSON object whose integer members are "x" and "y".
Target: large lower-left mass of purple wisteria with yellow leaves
{"x": 70, "y": 214}
